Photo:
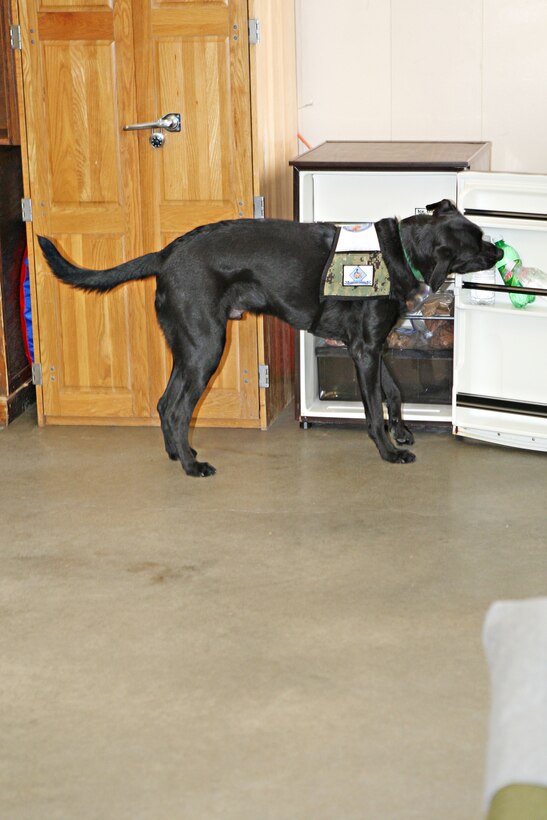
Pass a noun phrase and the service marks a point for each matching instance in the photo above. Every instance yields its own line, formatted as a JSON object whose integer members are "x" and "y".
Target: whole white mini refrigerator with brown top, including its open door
{"x": 490, "y": 382}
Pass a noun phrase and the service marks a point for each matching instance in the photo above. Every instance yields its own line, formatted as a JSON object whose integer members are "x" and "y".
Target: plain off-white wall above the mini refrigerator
{"x": 427, "y": 70}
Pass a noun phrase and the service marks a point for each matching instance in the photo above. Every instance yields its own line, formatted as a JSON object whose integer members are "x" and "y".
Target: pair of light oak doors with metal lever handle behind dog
{"x": 105, "y": 195}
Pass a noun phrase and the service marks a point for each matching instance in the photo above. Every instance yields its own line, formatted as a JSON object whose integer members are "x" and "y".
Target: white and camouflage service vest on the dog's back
{"x": 356, "y": 268}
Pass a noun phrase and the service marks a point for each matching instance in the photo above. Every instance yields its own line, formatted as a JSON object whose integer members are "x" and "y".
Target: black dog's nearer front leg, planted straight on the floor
{"x": 368, "y": 365}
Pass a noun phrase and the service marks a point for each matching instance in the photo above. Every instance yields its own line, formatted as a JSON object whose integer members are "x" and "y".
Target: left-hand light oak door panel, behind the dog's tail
{"x": 79, "y": 85}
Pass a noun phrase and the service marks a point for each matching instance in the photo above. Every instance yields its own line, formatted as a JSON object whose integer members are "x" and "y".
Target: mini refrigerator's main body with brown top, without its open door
{"x": 362, "y": 182}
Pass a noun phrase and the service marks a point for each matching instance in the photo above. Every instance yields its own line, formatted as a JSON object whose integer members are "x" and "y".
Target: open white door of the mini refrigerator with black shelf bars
{"x": 500, "y": 351}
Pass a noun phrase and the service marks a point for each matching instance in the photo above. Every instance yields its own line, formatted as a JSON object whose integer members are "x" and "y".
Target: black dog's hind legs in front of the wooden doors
{"x": 188, "y": 380}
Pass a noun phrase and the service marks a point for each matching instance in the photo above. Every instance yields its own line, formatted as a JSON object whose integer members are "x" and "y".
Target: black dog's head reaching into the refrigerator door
{"x": 446, "y": 242}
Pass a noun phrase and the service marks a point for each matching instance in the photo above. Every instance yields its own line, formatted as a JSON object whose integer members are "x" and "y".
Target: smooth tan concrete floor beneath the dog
{"x": 297, "y": 637}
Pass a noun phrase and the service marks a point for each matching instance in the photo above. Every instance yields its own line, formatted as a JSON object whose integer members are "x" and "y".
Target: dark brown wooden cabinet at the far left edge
{"x": 16, "y": 390}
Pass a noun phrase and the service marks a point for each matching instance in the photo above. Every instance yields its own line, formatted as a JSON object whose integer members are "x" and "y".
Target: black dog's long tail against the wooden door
{"x": 98, "y": 280}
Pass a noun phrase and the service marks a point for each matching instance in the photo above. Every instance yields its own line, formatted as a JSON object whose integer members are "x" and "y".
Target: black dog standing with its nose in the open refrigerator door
{"x": 219, "y": 271}
